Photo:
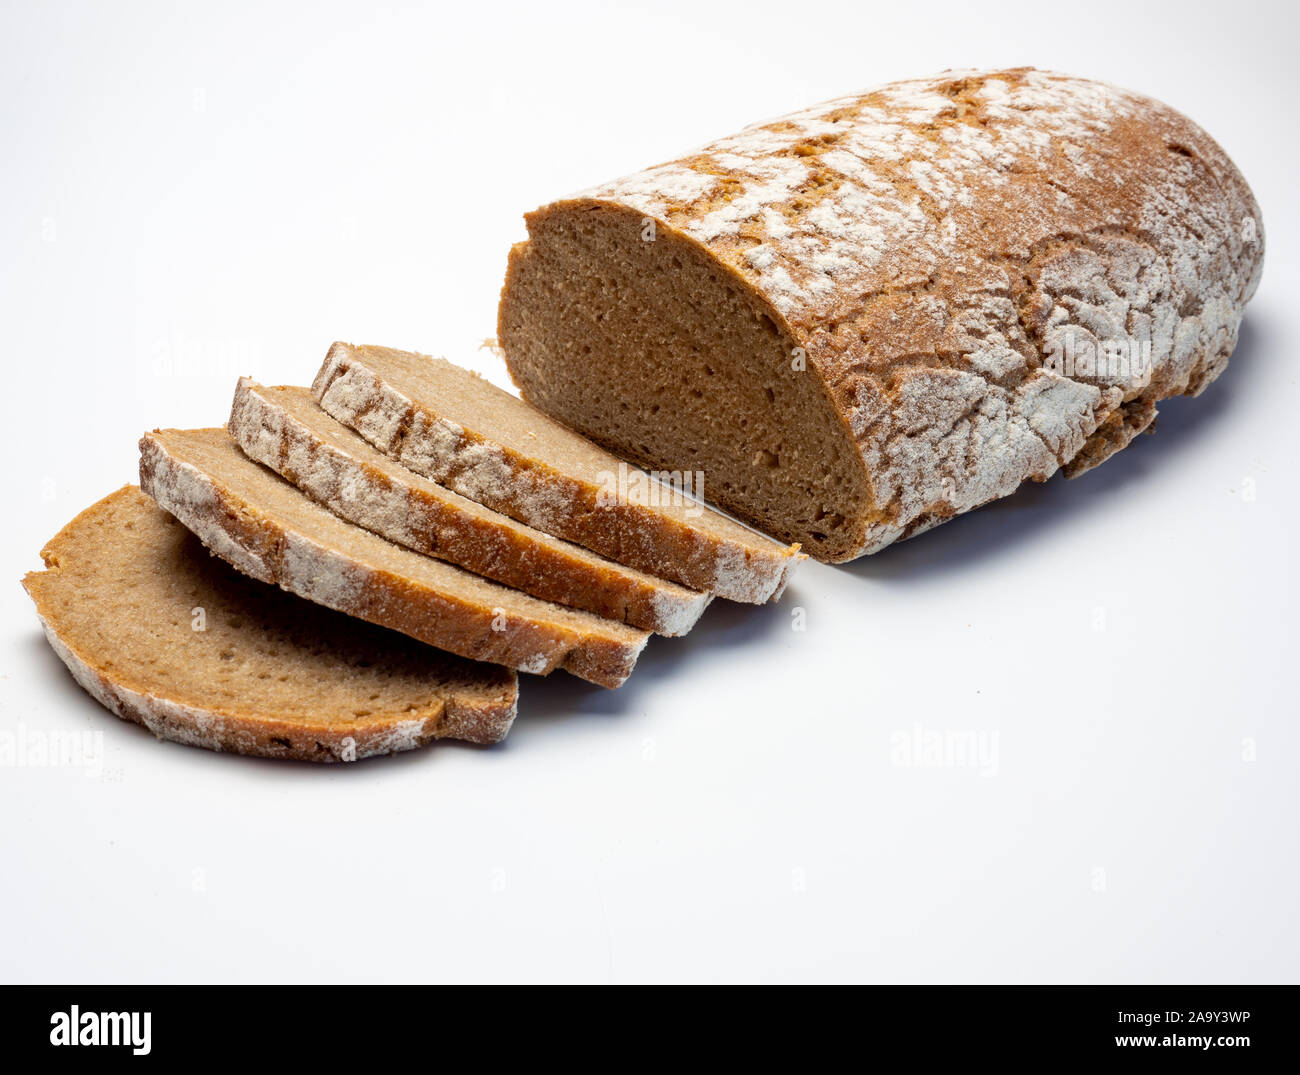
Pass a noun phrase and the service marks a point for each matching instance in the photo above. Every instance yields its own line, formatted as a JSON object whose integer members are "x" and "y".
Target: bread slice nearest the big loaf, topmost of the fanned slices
{"x": 458, "y": 430}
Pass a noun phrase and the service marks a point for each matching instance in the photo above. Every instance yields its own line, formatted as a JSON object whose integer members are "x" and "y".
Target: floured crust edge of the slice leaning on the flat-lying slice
{"x": 263, "y": 548}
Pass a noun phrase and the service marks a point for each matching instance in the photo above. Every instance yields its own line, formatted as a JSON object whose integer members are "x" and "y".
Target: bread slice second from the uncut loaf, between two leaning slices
{"x": 285, "y": 430}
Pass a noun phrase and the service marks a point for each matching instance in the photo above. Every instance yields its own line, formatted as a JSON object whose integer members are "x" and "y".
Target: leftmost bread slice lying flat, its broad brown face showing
{"x": 170, "y": 638}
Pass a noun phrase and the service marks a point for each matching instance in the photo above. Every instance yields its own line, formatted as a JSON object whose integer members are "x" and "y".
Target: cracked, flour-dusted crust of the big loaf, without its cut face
{"x": 929, "y": 245}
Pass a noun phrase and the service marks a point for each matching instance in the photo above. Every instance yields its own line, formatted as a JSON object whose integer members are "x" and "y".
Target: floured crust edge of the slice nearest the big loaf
{"x": 747, "y": 566}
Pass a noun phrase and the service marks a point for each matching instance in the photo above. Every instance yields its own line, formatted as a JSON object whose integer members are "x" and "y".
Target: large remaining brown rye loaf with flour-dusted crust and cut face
{"x": 866, "y": 318}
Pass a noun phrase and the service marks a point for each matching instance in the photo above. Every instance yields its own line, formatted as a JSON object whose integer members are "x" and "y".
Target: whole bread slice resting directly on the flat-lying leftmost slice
{"x": 270, "y": 530}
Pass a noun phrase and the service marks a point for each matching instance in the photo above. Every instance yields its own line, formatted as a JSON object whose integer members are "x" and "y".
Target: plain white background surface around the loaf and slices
{"x": 196, "y": 192}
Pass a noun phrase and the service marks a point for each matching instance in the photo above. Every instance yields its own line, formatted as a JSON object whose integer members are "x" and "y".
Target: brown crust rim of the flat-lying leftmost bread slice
{"x": 480, "y": 719}
